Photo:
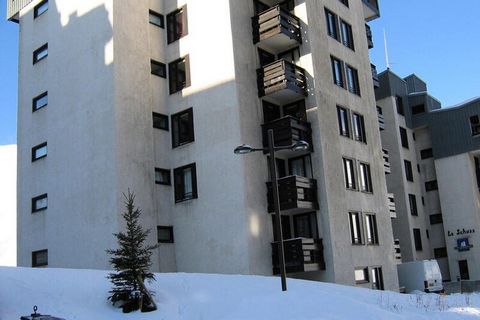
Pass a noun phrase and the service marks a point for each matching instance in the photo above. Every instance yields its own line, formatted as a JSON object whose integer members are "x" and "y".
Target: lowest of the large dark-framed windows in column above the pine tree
{"x": 185, "y": 179}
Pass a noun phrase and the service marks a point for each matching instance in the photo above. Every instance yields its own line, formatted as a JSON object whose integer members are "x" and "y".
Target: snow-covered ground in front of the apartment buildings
{"x": 81, "y": 294}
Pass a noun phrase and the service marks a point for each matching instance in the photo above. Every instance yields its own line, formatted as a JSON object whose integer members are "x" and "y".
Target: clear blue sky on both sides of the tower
{"x": 435, "y": 39}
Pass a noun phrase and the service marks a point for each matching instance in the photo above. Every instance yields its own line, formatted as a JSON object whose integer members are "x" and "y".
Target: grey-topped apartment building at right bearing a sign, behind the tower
{"x": 435, "y": 178}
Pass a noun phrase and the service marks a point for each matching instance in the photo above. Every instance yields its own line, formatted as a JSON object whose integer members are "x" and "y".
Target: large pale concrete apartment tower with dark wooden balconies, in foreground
{"x": 153, "y": 96}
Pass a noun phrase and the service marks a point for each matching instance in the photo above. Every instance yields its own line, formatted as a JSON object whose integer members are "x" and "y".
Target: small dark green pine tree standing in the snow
{"x": 131, "y": 262}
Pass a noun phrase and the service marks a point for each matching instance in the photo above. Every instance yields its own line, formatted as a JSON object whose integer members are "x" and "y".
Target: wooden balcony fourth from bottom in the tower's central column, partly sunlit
{"x": 282, "y": 82}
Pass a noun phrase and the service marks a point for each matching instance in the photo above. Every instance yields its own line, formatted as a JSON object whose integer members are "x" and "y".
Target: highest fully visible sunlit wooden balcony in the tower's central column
{"x": 277, "y": 29}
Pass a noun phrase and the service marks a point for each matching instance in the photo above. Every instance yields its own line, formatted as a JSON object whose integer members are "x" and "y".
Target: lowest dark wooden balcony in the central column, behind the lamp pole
{"x": 301, "y": 255}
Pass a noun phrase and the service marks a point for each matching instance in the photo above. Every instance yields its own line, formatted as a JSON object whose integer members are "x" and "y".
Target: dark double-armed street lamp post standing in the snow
{"x": 299, "y": 146}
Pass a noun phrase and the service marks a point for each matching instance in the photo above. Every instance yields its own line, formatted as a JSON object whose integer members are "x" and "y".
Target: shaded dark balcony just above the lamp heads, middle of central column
{"x": 287, "y": 131}
